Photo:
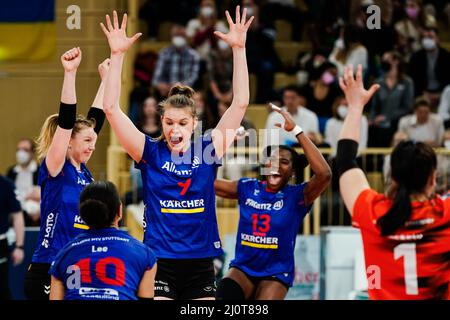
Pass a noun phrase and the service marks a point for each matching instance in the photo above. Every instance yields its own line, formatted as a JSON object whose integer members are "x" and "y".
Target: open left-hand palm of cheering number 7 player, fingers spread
{"x": 117, "y": 37}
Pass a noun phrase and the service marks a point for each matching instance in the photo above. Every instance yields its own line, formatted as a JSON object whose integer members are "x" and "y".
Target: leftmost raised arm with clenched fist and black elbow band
{"x": 56, "y": 154}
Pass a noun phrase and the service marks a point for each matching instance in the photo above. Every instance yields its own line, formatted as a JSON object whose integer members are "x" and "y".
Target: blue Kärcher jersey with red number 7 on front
{"x": 180, "y": 212}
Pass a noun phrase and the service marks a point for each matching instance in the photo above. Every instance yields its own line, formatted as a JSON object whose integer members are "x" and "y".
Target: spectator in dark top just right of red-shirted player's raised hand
{"x": 392, "y": 101}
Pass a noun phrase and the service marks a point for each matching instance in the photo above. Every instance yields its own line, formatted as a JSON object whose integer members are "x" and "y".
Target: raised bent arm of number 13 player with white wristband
{"x": 322, "y": 172}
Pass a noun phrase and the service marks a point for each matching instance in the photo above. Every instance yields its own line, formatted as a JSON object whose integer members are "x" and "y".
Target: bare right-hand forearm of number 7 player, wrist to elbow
{"x": 241, "y": 91}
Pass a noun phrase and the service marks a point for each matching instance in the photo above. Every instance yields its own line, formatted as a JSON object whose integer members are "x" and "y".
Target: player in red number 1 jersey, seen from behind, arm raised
{"x": 406, "y": 233}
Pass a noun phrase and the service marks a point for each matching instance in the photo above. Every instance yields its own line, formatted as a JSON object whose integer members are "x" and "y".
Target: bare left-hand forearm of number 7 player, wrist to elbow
{"x": 113, "y": 84}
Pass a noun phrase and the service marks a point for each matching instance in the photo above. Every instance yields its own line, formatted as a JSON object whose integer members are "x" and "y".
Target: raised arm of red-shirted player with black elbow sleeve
{"x": 352, "y": 180}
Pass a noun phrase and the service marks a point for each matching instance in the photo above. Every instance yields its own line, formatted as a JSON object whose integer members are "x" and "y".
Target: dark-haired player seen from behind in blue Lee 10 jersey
{"x": 103, "y": 263}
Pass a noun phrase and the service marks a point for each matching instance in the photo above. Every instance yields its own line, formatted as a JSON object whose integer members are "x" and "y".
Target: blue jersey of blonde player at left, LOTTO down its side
{"x": 60, "y": 219}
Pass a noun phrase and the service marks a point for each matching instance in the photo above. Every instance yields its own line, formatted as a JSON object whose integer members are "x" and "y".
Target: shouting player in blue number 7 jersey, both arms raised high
{"x": 178, "y": 173}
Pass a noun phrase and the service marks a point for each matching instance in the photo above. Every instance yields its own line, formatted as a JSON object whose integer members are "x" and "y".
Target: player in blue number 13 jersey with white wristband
{"x": 271, "y": 213}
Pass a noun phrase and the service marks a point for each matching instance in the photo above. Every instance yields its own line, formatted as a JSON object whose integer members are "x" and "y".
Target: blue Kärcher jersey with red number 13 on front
{"x": 268, "y": 226}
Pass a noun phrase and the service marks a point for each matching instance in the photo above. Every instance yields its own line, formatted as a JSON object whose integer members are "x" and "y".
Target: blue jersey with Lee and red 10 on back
{"x": 105, "y": 264}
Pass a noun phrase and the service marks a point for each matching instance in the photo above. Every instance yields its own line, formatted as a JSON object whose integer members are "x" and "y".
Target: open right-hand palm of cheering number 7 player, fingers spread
{"x": 238, "y": 31}
